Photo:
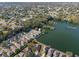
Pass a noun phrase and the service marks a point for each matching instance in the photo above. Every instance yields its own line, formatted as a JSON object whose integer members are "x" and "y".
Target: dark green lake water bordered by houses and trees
{"x": 63, "y": 38}
